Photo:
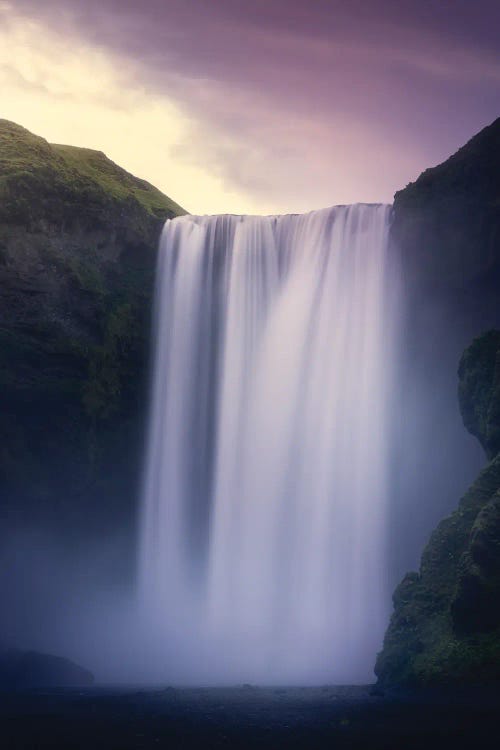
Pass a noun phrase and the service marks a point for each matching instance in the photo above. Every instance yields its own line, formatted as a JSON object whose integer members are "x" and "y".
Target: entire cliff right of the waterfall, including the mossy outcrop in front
{"x": 446, "y": 232}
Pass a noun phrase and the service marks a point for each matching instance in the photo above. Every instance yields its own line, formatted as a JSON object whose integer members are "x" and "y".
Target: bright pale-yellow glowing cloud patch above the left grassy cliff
{"x": 71, "y": 92}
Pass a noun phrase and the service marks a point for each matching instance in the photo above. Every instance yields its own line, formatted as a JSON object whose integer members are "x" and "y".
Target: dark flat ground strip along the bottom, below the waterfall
{"x": 306, "y": 718}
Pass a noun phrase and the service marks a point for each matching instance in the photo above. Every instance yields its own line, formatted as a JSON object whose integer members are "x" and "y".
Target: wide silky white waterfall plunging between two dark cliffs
{"x": 263, "y": 535}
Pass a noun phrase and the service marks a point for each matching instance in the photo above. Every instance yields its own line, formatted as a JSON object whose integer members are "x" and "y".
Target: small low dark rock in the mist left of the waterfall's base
{"x": 30, "y": 669}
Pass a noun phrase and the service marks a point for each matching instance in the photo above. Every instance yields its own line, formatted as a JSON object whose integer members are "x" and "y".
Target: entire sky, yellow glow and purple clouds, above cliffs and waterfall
{"x": 253, "y": 110}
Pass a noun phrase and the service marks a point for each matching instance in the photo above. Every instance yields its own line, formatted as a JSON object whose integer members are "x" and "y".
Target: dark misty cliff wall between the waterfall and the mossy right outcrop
{"x": 446, "y": 235}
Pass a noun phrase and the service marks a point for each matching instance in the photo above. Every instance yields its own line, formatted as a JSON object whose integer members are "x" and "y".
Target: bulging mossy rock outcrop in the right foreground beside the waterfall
{"x": 446, "y": 621}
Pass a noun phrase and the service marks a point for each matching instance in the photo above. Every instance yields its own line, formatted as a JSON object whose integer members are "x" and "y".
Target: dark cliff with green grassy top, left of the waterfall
{"x": 78, "y": 238}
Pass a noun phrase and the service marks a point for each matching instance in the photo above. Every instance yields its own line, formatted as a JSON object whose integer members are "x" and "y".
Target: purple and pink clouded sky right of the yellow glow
{"x": 305, "y": 103}
